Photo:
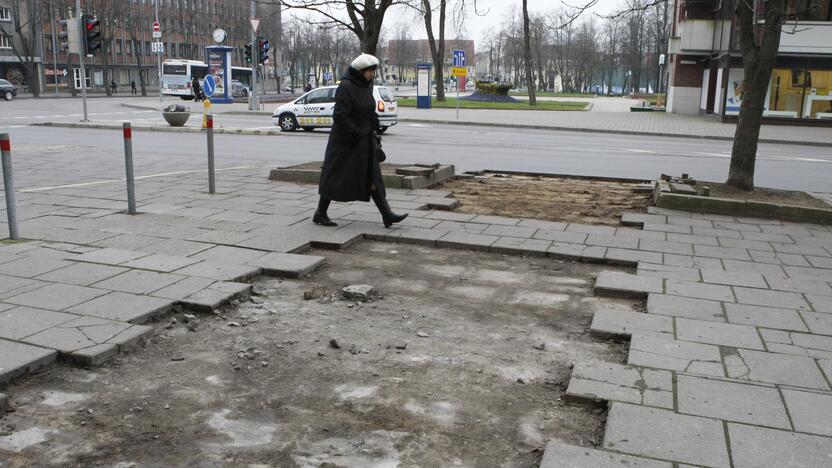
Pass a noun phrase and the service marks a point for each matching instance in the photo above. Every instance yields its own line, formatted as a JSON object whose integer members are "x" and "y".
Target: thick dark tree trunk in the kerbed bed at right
{"x": 758, "y": 63}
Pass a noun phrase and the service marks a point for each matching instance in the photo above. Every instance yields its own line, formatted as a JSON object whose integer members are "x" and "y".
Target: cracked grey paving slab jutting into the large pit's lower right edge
{"x": 597, "y": 380}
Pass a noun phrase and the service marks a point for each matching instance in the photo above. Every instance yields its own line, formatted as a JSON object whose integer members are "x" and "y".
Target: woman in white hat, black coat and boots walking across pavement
{"x": 351, "y": 169}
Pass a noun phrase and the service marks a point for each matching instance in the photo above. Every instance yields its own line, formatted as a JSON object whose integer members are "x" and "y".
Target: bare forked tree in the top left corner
{"x": 26, "y": 22}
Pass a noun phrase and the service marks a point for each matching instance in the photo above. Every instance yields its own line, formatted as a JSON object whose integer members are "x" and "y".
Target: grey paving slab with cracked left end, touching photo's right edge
{"x": 784, "y": 369}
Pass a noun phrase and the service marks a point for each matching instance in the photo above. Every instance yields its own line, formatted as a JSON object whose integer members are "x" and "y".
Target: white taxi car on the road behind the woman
{"x": 315, "y": 108}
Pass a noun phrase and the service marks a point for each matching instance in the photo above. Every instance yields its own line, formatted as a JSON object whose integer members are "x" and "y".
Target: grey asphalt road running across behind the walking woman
{"x": 97, "y": 154}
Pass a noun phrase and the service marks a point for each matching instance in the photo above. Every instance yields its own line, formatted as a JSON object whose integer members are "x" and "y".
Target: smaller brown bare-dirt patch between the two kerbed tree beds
{"x": 548, "y": 198}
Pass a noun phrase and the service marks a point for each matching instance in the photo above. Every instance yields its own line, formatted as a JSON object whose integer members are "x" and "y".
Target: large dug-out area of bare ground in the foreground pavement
{"x": 461, "y": 359}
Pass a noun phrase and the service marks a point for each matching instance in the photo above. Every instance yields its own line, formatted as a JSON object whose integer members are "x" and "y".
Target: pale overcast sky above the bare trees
{"x": 495, "y": 12}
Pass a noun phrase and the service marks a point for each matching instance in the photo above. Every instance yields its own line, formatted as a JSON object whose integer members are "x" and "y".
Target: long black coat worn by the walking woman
{"x": 349, "y": 163}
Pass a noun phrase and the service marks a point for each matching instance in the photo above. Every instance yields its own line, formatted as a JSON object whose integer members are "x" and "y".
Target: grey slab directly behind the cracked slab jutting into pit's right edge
{"x": 667, "y": 353}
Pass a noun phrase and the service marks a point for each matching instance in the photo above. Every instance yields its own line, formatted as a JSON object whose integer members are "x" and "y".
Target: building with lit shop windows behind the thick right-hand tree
{"x": 705, "y": 64}
